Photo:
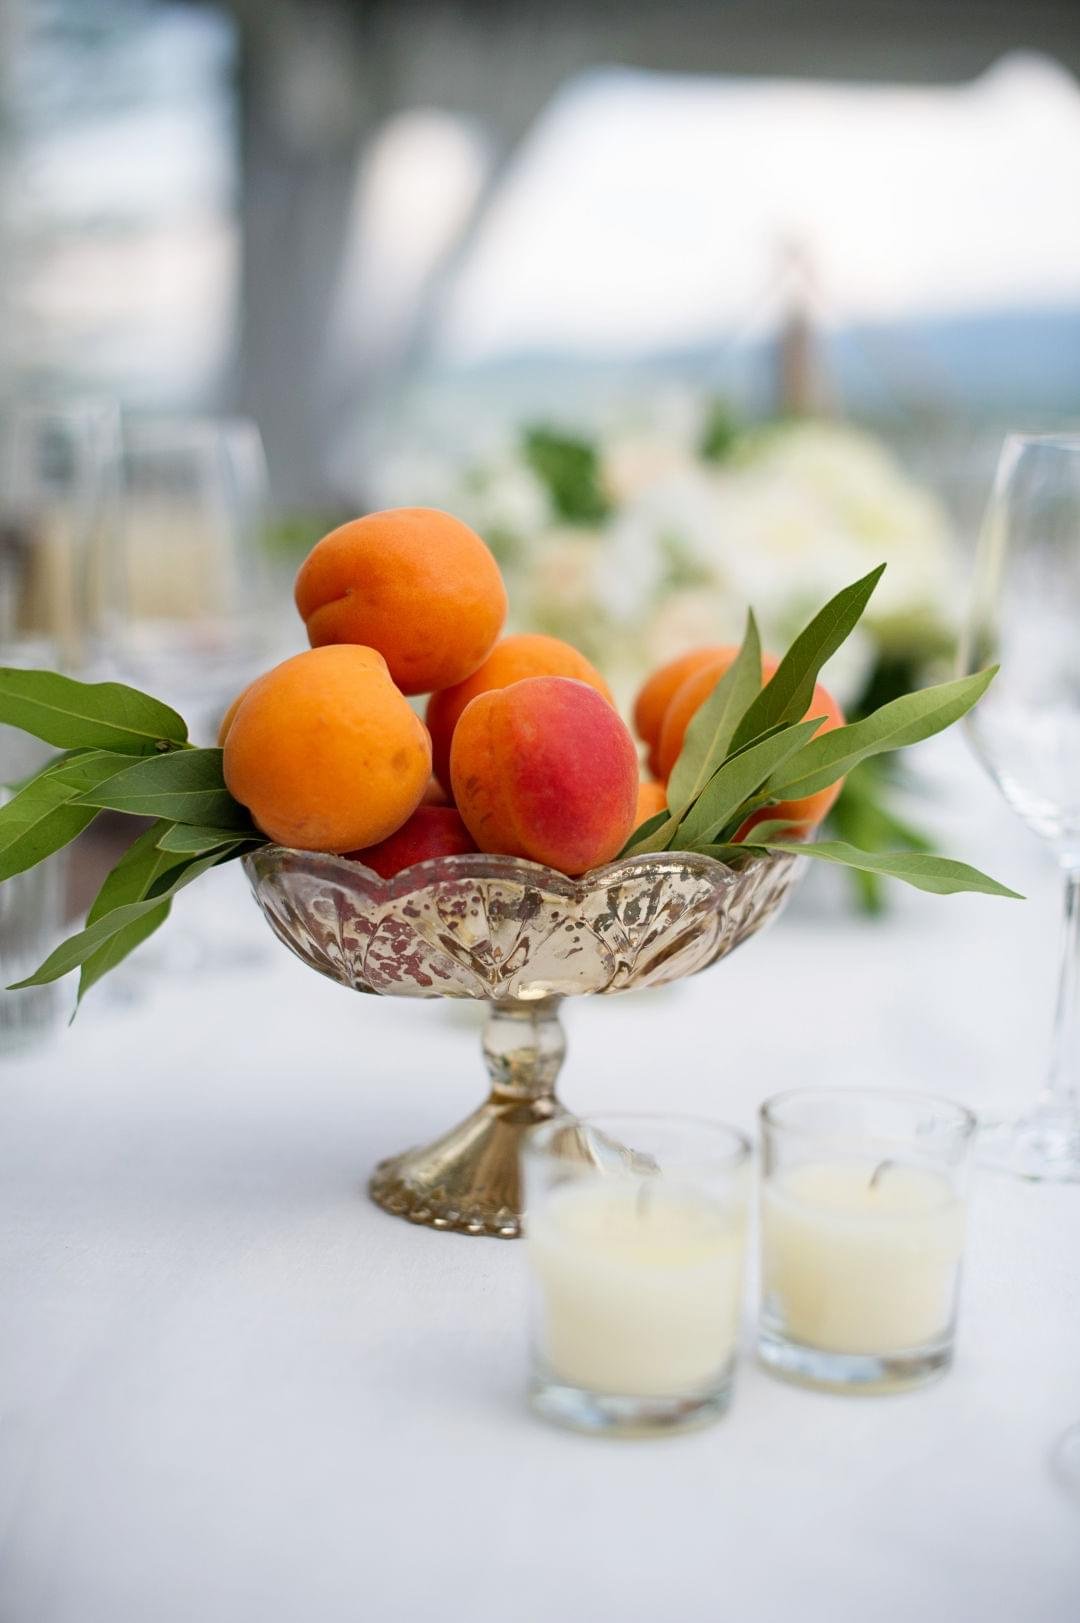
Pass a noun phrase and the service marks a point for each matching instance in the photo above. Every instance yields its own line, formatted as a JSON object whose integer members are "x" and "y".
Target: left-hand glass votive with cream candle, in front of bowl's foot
{"x": 636, "y": 1239}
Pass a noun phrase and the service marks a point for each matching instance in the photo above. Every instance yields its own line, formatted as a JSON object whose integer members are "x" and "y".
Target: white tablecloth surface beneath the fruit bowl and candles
{"x": 233, "y": 1390}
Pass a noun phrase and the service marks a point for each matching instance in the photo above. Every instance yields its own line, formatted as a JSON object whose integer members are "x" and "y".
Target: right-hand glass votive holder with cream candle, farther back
{"x": 863, "y": 1229}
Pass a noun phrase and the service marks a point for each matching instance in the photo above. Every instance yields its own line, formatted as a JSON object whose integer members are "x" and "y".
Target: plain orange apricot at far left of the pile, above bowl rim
{"x": 326, "y": 752}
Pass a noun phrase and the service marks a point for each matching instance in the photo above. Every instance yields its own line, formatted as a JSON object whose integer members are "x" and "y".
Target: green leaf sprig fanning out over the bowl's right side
{"x": 750, "y": 749}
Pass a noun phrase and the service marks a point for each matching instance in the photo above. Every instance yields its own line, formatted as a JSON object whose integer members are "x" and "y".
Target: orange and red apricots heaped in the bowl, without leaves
{"x": 524, "y": 752}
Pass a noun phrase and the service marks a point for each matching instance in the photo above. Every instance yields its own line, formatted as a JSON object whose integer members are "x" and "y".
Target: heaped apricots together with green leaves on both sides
{"x": 522, "y": 752}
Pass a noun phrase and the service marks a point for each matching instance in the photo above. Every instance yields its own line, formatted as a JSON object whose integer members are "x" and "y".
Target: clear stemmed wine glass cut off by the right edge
{"x": 1026, "y": 616}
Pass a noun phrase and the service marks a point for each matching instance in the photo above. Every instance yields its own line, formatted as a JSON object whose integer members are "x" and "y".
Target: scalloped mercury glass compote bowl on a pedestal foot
{"x": 521, "y": 937}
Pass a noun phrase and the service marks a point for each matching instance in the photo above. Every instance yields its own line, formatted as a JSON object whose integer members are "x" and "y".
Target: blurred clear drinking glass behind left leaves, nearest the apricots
{"x": 188, "y": 592}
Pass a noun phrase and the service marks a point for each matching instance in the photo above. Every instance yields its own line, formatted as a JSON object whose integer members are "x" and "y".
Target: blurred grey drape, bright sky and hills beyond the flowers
{"x": 369, "y": 225}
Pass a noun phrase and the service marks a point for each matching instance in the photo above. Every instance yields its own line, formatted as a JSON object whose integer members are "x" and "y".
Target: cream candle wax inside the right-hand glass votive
{"x": 860, "y": 1264}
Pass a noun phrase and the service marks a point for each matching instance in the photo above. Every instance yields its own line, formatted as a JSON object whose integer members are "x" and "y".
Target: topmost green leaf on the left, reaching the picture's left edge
{"x": 89, "y": 715}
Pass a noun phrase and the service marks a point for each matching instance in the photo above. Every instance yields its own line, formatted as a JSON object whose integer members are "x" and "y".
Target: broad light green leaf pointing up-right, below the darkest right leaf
{"x": 894, "y": 726}
